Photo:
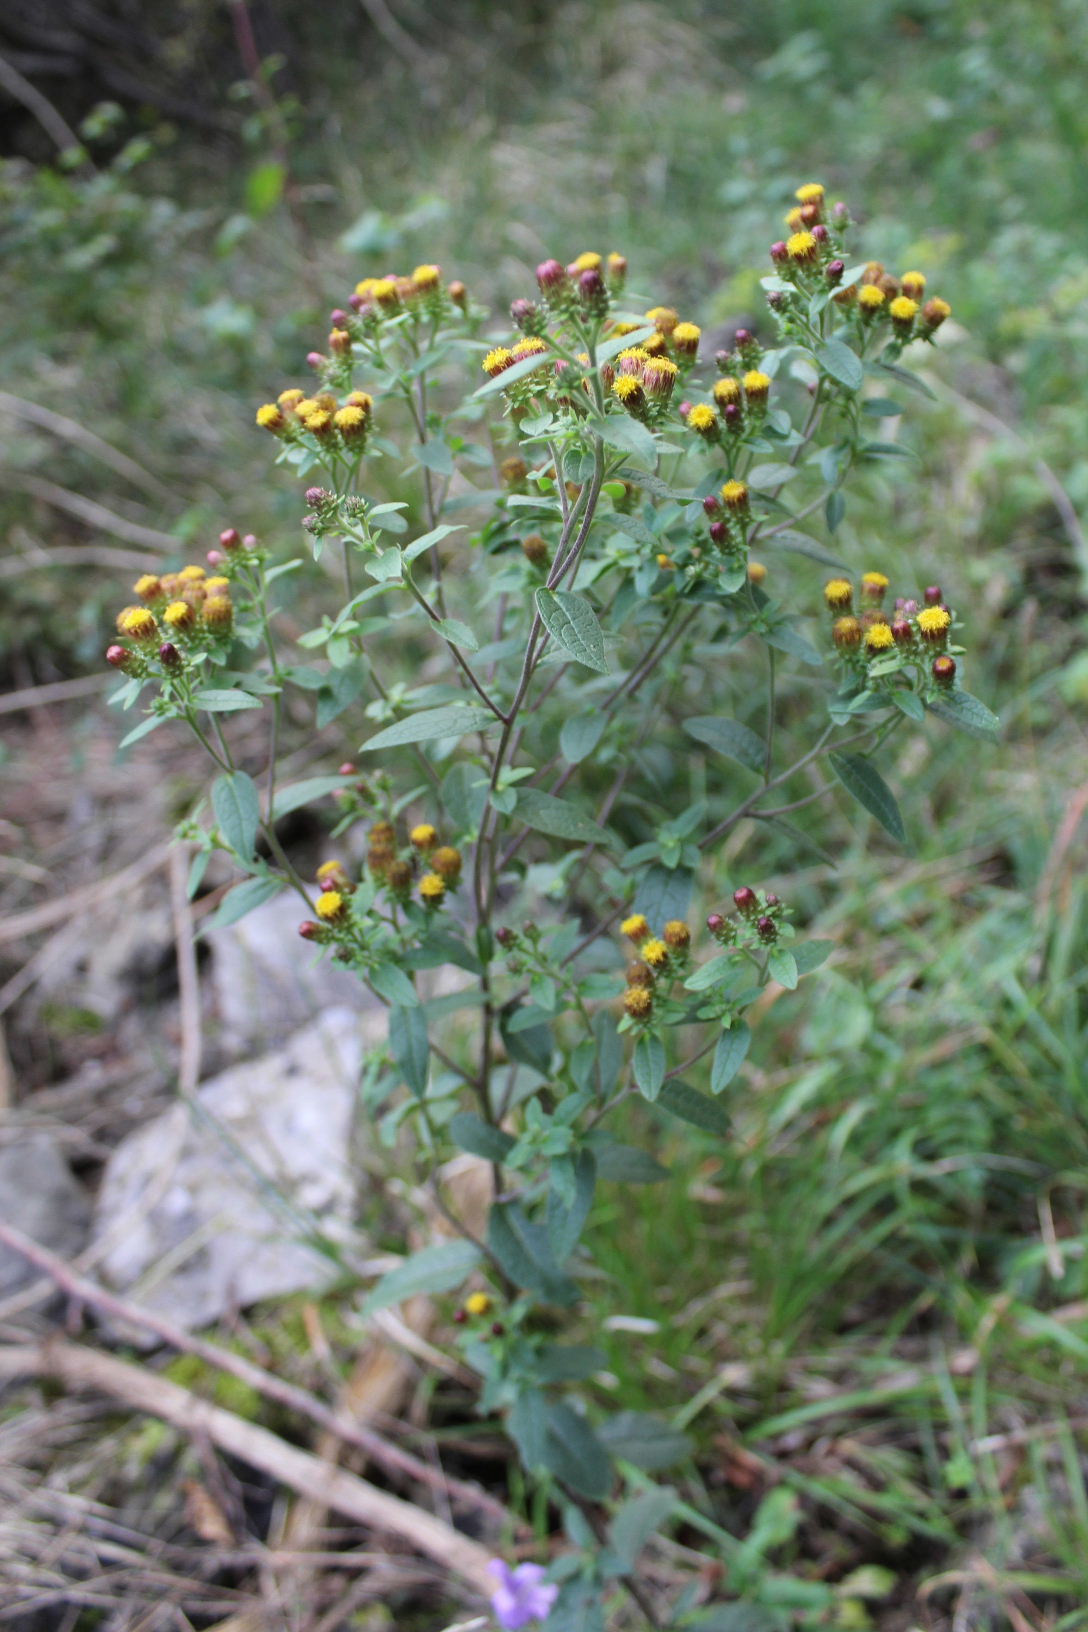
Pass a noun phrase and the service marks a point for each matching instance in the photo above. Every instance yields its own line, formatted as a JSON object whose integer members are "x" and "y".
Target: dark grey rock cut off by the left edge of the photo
{"x": 43, "y": 1199}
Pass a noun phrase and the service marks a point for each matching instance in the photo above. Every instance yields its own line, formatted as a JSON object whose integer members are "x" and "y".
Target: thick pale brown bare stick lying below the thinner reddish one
{"x": 141, "y": 1390}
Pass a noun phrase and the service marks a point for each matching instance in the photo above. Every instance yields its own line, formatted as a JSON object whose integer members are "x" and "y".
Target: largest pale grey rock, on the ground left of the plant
{"x": 208, "y": 1208}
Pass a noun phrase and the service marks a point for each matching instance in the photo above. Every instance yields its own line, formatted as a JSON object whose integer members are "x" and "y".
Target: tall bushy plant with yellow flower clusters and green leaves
{"x": 591, "y": 534}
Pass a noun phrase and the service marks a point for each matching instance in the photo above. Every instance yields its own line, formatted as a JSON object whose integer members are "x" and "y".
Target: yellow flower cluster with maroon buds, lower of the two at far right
{"x": 918, "y": 632}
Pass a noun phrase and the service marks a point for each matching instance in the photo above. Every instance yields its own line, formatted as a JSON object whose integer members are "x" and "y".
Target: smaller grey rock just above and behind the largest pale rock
{"x": 267, "y": 982}
